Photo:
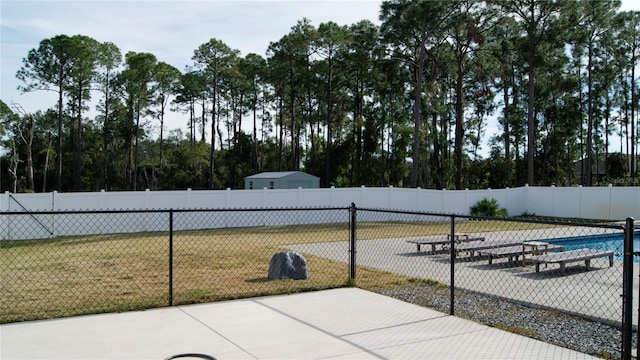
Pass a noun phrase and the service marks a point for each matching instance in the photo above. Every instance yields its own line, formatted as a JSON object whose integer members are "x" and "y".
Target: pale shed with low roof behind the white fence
{"x": 282, "y": 180}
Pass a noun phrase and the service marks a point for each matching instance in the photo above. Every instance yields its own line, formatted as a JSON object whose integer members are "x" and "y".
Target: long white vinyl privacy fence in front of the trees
{"x": 607, "y": 203}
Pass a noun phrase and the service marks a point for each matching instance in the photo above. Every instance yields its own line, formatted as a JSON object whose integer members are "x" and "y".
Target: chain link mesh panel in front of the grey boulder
{"x": 229, "y": 256}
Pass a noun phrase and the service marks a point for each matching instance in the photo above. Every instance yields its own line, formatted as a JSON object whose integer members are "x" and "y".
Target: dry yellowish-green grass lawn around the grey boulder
{"x": 119, "y": 272}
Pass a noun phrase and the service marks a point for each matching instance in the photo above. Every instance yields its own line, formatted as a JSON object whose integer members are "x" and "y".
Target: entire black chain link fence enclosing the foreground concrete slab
{"x": 57, "y": 264}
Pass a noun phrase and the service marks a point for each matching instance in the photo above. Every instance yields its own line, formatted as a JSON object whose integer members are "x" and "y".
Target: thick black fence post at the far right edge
{"x": 627, "y": 290}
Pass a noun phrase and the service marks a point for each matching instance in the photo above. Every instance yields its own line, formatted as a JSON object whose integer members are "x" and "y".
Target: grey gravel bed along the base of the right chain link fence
{"x": 554, "y": 327}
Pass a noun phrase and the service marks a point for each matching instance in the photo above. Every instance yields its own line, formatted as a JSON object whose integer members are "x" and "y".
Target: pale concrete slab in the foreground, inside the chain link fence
{"x": 346, "y": 323}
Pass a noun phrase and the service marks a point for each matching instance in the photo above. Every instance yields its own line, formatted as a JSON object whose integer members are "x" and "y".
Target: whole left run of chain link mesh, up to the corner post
{"x": 72, "y": 263}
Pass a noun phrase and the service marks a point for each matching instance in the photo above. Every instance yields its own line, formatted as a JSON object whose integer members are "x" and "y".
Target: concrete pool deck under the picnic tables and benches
{"x": 594, "y": 293}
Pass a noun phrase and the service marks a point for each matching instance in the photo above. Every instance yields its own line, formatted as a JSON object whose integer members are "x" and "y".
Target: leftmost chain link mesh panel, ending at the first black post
{"x": 94, "y": 268}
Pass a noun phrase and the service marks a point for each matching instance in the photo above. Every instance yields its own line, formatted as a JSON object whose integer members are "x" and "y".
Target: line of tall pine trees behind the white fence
{"x": 405, "y": 103}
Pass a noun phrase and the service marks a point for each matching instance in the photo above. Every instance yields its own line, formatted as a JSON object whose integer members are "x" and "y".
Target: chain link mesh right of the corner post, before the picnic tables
{"x": 490, "y": 259}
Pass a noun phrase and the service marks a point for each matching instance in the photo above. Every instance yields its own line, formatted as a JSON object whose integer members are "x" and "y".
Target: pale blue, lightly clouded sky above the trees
{"x": 169, "y": 29}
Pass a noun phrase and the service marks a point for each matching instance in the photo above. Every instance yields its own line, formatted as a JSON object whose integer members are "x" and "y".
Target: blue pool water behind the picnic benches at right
{"x": 613, "y": 242}
